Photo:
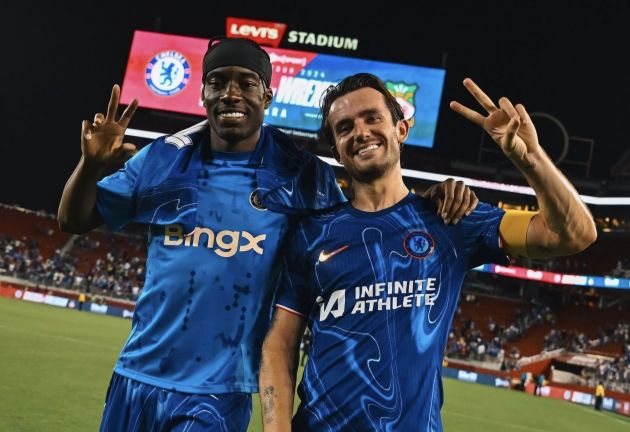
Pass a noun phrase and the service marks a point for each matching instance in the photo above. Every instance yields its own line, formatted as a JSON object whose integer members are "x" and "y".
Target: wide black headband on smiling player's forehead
{"x": 237, "y": 52}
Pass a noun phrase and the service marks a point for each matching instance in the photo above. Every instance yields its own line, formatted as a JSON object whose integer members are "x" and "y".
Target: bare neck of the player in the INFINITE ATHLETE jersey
{"x": 381, "y": 193}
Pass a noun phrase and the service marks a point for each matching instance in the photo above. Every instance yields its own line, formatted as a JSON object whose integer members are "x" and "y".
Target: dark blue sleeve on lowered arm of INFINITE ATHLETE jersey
{"x": 295, "y": 293}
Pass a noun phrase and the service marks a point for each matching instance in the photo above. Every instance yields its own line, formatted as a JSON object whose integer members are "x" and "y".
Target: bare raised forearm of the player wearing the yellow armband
{"x": 565, "y": 220}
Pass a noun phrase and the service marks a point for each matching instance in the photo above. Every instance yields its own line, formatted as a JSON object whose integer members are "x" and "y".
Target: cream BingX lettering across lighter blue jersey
{"x": 225, "y": 243}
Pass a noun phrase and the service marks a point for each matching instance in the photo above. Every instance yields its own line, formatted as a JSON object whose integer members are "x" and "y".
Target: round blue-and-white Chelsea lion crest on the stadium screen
{"x": 167, "y": 73}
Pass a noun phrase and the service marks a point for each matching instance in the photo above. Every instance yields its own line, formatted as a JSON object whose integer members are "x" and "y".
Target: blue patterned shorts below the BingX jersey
{"x": 134, "y": 406}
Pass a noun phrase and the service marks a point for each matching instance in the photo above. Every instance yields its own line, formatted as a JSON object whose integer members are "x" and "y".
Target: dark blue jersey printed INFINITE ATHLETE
{"x": 379, "y": 291}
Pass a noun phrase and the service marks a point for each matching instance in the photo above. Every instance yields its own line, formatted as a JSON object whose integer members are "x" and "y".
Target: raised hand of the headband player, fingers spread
{"x": 102, "y": 140}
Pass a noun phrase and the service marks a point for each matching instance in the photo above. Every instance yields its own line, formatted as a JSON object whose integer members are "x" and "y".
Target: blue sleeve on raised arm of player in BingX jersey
{"x": 115, "y": 199}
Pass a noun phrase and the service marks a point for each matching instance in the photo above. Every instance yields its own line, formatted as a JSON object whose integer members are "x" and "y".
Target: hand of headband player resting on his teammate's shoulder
{"x": 453, "y": 199}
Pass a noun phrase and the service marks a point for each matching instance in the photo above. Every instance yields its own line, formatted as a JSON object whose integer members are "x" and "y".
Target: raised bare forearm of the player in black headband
{"x": 77, "y": 208}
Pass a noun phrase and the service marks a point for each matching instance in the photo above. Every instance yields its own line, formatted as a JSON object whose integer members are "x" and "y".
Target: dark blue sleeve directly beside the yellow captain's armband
{"x": 481, "y": 236}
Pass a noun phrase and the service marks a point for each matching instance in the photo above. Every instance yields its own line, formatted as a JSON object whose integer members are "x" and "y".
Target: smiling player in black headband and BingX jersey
{"x": 219, "y": 198}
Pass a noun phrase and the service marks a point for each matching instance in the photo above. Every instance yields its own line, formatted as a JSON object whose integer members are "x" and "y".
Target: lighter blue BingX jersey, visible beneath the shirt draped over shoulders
{"x": 199, "y": 322}
